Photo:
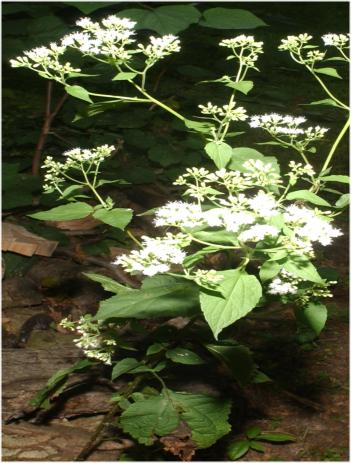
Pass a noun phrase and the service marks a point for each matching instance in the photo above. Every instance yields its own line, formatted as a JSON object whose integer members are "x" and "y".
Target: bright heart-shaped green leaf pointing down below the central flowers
{"x": 241, "y": 294}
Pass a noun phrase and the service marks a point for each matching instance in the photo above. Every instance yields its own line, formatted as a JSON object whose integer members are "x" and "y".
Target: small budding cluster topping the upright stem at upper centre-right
{"x": 249, "y": 48}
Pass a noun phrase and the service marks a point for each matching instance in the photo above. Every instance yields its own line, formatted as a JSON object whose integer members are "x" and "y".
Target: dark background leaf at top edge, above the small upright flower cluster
{"x": 228, "y": 18}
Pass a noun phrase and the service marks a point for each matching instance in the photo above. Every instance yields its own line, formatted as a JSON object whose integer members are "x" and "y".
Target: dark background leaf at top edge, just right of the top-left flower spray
{"x": 169, "y": 19}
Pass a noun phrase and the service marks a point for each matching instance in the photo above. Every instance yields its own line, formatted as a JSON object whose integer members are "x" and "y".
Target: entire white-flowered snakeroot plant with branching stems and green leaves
{"x": 266, "y": 222}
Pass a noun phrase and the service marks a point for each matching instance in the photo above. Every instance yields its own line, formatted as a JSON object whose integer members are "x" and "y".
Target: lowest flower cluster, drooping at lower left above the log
{"x": 93, "y": 340}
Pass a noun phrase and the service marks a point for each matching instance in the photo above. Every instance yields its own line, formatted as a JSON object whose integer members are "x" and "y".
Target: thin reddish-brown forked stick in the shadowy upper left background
{"x": 48, "y": 118}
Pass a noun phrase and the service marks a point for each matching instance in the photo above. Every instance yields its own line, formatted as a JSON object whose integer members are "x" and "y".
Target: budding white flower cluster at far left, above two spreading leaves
{"x": 75, "y": 158}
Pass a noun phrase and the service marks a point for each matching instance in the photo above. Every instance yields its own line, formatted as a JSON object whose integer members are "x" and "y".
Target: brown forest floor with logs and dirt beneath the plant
{"x": 312, "y": 401}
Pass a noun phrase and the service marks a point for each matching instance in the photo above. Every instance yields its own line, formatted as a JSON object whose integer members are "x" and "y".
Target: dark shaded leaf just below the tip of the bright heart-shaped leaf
{"x": 237, "y": 358}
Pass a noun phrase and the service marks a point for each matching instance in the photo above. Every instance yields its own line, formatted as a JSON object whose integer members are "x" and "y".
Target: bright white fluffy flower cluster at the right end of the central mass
{"x": 309, "y": 227}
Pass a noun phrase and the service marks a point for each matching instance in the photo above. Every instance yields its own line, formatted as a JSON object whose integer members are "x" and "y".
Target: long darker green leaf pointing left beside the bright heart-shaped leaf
{"x": 160, "y": 296}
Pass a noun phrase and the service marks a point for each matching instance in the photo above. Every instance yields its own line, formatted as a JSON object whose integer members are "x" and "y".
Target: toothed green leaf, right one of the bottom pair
{"x": 206, "y": 416}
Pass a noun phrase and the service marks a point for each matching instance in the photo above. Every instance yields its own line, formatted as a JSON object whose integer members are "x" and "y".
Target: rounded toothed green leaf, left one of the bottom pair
{"x": 147, "y": 418}
